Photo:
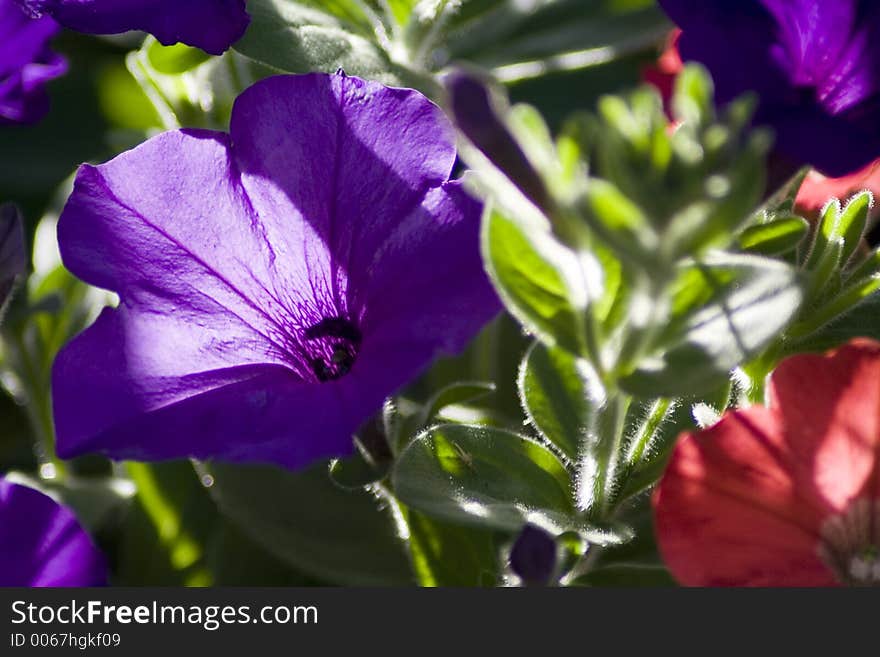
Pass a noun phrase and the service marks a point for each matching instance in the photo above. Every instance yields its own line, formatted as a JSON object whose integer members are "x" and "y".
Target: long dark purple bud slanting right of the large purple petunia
{"x": 474, "y": 115}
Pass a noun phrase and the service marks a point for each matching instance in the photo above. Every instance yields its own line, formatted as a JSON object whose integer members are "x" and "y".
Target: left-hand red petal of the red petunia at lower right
{"x": 728, "y": 513}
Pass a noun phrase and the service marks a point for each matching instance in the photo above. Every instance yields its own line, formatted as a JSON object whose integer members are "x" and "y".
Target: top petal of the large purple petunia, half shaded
{"x": 350, "y": 158}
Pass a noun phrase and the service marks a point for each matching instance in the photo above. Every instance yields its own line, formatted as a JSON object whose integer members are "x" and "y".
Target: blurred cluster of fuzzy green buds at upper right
{"x": 659, "y": 197}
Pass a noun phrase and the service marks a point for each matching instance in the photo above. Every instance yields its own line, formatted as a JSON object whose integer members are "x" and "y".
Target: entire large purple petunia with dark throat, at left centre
{"x": 276, "y": 283}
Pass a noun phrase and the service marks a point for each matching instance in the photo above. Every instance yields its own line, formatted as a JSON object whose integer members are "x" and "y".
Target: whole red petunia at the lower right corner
{"x": 787, "y": 495}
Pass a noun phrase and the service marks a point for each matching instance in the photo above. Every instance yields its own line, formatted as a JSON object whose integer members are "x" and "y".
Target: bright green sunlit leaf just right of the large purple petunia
{"x": 540, "y": 281}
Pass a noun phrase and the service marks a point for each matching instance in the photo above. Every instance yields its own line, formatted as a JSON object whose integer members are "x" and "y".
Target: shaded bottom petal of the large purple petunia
{"x": 109, "y": 398}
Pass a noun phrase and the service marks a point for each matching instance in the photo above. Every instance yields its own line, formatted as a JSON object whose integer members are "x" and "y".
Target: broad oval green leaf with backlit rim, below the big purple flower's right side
{"x": 488, "y": 478}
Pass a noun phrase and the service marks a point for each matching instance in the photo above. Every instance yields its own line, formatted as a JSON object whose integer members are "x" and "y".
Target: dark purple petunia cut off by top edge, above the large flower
{"x": 212, "y": 25}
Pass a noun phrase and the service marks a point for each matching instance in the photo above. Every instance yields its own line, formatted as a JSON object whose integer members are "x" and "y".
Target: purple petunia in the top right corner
{"x": 815, "y": 65}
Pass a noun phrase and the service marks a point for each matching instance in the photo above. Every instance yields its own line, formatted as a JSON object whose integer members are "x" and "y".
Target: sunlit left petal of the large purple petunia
{"x": 168, "y": 226}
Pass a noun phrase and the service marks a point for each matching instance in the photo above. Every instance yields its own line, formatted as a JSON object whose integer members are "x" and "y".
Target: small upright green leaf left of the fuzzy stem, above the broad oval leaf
{"x": 560, "y": 394}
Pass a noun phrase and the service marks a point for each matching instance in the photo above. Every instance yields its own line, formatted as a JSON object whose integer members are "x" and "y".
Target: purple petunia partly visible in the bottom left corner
{"x": 42, "y": 544}
